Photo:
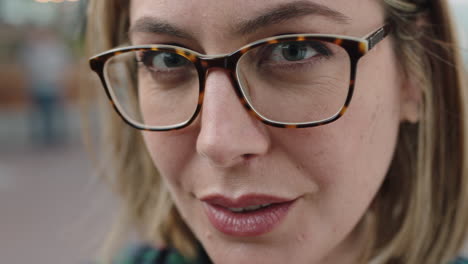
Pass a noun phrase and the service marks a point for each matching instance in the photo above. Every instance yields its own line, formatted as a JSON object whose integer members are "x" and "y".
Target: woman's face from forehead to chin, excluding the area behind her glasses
{"x": 319, "y": 181}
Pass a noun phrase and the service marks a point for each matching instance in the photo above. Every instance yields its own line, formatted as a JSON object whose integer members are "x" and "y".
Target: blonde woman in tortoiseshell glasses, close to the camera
{"x": 241, "y": 144}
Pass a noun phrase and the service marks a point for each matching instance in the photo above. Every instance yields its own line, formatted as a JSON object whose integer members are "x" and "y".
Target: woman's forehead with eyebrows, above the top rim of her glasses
{"x": 209, "y": 19}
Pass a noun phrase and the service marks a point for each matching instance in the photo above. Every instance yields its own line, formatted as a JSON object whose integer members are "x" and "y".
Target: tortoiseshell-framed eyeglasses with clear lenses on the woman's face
{"x": 298, "y": 80}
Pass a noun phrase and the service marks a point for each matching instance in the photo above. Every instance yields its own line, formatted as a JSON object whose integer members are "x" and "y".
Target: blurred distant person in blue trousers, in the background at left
{"x": 45, "y": 60}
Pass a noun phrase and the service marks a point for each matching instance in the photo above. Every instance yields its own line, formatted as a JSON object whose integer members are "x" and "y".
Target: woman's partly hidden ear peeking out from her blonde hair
{"x": 410, "y": 98}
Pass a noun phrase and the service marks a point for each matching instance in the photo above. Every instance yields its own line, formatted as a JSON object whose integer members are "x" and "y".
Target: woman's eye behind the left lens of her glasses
{"x": 161, "y": 61}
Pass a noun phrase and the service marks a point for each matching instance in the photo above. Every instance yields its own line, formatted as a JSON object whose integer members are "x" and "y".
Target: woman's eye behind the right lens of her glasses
{"x": 296, "y": 51}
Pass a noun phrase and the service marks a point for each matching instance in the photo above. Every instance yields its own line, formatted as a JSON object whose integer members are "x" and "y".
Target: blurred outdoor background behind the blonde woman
{"x": 52, "y": 208}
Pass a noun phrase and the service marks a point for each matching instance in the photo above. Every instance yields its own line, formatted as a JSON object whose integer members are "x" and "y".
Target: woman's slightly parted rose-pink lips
{"x": 248, "y": 215}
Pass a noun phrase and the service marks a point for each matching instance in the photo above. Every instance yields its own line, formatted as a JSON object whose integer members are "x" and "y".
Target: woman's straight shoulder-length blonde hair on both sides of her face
{"x": 420, "y": 213}
